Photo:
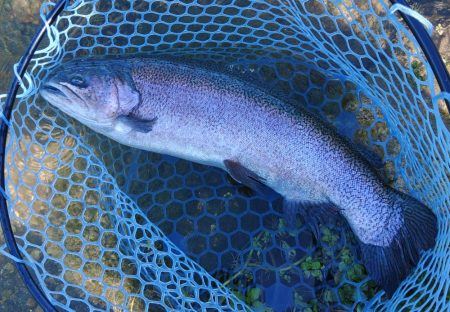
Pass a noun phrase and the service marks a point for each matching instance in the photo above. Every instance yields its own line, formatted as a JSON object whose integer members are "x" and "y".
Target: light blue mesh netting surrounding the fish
{"x": 104, "y": 226}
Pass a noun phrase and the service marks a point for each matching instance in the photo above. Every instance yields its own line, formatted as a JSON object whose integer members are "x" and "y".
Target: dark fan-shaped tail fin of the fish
{"x": 389, "y": 266}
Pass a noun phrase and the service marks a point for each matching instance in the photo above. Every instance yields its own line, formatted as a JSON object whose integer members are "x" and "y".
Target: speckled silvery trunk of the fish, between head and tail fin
{"x": 209, "y": 117}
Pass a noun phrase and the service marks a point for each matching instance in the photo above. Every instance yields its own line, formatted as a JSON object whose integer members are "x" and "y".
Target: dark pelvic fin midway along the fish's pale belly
{"x": 248, "y": 178}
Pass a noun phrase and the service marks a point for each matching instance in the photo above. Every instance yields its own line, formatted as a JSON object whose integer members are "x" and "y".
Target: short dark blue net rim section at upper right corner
{"x": 429, "y": 49}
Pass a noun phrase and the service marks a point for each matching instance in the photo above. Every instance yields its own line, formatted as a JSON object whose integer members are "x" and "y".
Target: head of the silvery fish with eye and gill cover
{"x": 93, "y": 92}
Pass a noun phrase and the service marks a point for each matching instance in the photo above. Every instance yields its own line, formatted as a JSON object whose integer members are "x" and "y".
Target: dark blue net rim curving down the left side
{"x": 31, "y": 284}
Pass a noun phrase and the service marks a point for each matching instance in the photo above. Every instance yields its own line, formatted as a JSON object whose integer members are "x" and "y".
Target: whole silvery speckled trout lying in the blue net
{"x": 217, "y": 119}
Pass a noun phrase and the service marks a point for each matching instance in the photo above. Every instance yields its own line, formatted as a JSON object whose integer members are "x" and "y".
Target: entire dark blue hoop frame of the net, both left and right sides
{"x": 419, "y": 32}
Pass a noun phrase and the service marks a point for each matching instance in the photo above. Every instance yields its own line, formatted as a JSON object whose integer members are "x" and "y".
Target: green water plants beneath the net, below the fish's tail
{"x": 316, "y": 266}
